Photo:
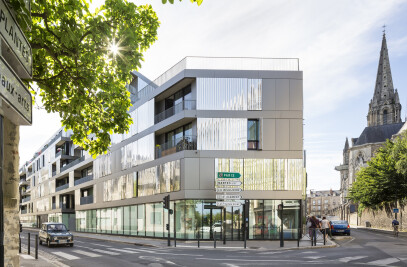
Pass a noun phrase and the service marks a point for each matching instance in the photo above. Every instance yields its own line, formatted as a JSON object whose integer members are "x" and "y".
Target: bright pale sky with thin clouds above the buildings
{"x": 337, "y": 42}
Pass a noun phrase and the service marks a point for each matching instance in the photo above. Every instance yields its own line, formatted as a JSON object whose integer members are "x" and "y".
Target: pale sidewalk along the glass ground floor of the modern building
{"x": 304, "y": 243}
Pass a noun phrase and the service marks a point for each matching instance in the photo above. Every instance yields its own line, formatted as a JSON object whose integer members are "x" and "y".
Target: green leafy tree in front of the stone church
{"x": 383, "y": 182}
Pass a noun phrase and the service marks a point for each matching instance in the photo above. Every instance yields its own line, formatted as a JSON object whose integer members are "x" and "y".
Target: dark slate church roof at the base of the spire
{"x": 379, "y": 133}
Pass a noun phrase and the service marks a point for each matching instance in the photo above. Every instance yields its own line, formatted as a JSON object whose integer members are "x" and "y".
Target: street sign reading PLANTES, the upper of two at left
{"x": 15, "y": 38}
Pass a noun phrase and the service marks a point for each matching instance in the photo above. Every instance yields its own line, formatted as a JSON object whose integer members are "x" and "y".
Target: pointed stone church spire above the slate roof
{"x": 385, "y": 107}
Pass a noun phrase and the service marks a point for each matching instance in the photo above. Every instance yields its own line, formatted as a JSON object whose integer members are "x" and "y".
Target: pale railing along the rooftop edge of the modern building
{"x": 219, "y": 63}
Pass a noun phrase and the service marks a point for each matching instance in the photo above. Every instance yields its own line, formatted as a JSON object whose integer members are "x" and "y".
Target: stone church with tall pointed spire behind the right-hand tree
{"x": 383, "y": 121}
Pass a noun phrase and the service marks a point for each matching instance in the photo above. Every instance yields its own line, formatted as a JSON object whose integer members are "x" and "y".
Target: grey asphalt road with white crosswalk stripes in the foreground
{"x": 363, "y": 248}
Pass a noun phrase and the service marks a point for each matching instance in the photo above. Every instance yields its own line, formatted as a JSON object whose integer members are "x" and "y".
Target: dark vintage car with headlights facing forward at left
{"x": 55, "y": 234}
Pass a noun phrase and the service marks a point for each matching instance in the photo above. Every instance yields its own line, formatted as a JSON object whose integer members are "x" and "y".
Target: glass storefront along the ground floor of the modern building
{"x": 196, "y": 219}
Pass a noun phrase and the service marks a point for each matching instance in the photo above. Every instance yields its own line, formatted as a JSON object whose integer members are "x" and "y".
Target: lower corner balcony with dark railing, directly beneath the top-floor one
{"x": 180, "y": 144}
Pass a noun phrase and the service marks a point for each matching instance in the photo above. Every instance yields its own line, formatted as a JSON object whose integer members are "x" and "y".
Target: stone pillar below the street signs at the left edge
{"x": 11, "y": 195}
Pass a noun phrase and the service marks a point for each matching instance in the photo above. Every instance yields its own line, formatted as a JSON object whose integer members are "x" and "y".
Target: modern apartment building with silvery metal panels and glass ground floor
{"x": 201, "y": 117}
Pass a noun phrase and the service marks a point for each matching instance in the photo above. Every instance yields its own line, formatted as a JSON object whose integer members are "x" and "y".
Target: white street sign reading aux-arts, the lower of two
{"x": 14, "y": 92}
